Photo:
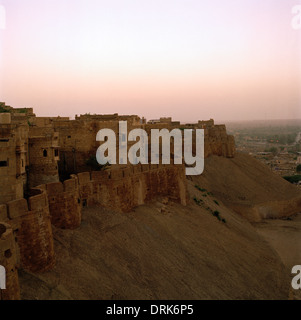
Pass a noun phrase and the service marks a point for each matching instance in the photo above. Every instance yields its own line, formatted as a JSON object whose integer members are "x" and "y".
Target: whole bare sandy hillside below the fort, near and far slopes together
{"x": 166, "y": 251}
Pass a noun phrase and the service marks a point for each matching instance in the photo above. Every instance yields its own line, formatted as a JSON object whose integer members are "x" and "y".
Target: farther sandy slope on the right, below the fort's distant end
{"x": 249, "y": 187}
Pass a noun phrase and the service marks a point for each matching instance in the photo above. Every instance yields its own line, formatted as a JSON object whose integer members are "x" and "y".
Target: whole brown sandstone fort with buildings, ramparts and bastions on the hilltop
{"x": 37, "y": 152}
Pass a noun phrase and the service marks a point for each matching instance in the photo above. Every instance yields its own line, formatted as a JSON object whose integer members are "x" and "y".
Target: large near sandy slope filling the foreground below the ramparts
{"x": 184, "y": 253}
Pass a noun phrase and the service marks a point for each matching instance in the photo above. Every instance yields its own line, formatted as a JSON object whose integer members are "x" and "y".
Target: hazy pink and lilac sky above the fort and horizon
{"x": 189, "y": 59}
